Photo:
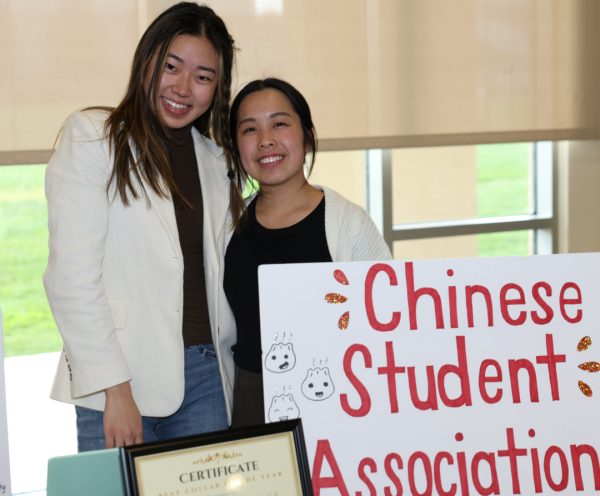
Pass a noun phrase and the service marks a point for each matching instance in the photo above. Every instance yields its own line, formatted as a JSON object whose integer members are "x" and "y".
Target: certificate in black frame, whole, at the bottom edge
{"x": 255, "y": 461}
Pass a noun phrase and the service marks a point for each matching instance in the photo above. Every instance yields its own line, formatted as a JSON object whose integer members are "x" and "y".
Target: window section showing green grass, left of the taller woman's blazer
{"x": 29, "y": 327}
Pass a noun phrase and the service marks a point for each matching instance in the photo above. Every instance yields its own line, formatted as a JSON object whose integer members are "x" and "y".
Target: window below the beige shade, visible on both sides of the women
{"x": 461, "y": 201}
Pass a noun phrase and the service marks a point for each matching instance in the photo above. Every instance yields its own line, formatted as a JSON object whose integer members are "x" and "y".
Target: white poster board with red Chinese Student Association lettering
{"x": 452, "y": 377}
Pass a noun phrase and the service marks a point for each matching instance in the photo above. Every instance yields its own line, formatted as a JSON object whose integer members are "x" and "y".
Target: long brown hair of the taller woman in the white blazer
{"x": 132, "y": 122}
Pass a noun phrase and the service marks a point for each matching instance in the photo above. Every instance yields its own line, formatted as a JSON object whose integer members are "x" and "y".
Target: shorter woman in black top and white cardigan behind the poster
{"x": 288, "y": 221}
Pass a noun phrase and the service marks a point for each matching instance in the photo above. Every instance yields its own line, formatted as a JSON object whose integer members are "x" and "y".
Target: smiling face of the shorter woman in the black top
{"x": 270, "y": 139}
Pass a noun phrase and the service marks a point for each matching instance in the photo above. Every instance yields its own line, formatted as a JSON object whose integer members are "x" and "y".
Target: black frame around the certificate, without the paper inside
{"x": 130, "y": 453}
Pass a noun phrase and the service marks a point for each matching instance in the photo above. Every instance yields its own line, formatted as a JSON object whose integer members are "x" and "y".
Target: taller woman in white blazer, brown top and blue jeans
{"x": 137, "y": 206}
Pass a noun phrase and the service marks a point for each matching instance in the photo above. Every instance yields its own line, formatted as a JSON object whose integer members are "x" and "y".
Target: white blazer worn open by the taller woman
{"x": 114, "y": 279}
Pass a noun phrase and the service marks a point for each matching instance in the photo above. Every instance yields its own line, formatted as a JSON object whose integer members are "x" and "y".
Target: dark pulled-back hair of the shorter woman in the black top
{"x": 300, "y": 106}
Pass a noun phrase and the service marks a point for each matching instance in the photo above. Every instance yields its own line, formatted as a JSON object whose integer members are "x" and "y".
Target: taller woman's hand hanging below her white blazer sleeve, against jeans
{"x": 122, "y": 419}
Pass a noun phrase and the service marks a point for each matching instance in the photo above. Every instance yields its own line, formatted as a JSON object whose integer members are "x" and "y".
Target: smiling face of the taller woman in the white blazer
{"x": 188, "y": 82}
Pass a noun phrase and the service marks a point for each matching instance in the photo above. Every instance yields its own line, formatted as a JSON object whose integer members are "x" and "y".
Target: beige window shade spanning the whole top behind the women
{"x": 377, "y": 73}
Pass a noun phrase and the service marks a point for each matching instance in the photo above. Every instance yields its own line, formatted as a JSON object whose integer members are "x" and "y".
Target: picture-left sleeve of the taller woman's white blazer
{"x": 78, "y": 222}
